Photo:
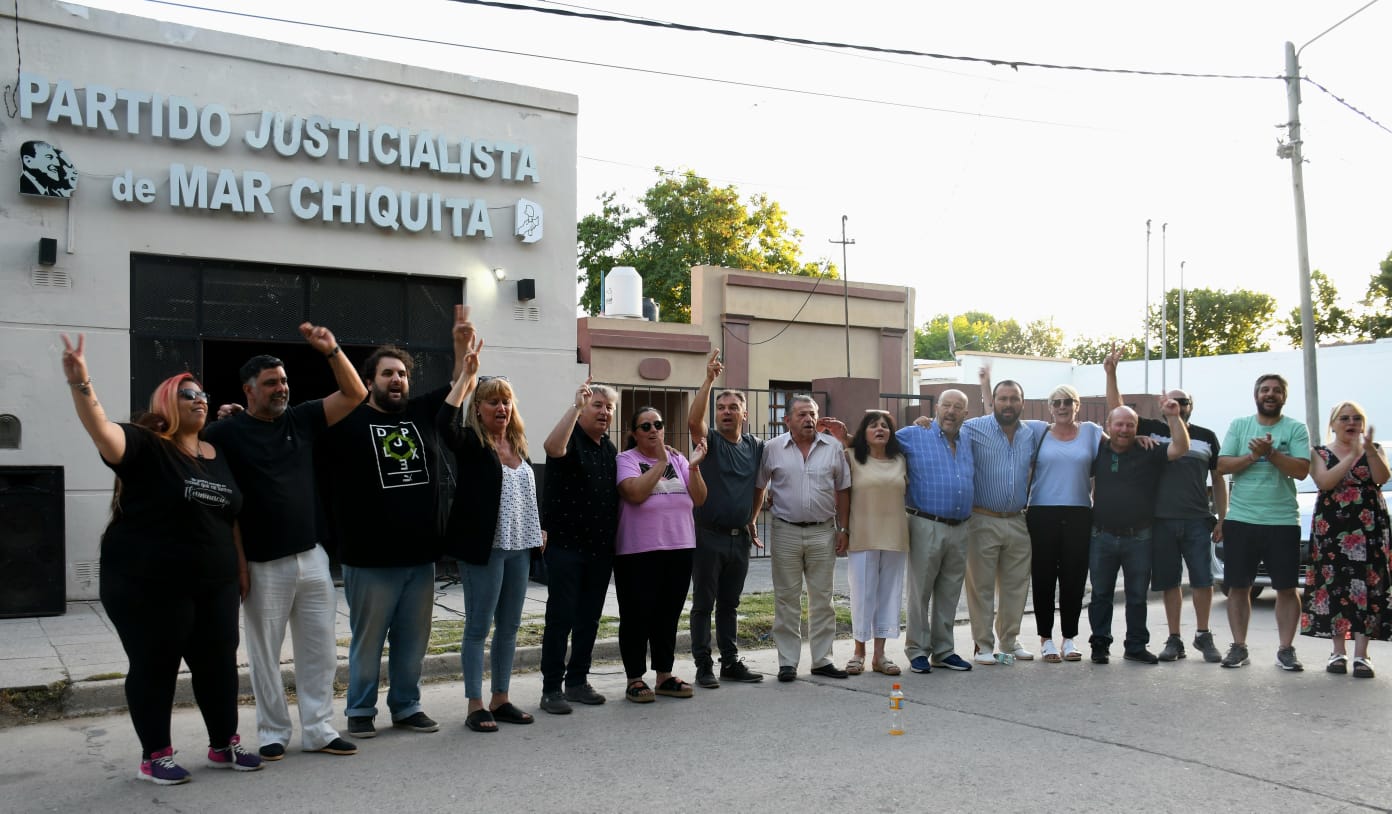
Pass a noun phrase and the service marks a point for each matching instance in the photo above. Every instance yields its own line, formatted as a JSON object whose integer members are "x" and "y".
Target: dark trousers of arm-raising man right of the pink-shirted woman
{"x": 719, "y": 570}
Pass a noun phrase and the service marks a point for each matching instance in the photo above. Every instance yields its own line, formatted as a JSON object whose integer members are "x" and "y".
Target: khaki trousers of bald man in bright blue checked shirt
{"x": 938, "y": 567}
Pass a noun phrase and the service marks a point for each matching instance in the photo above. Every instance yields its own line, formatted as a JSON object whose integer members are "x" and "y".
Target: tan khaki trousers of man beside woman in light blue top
{"x": 997, "y": 560}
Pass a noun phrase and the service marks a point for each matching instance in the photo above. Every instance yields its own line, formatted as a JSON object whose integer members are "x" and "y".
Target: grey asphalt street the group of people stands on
{"x": 1031, "y": 737}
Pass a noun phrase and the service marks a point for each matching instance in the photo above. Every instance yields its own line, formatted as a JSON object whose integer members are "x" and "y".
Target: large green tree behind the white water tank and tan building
{"x": 683, "y": 222}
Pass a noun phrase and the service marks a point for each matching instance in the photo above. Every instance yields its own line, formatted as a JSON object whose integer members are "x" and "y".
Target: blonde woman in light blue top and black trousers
{"x": 1060, "y": 520}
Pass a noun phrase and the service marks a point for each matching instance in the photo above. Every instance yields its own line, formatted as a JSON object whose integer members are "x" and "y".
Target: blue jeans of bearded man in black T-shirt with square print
{"x": 388, "y": 606}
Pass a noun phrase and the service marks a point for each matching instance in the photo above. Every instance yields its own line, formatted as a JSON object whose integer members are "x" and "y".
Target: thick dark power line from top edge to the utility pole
{"x": 993, "y": 62}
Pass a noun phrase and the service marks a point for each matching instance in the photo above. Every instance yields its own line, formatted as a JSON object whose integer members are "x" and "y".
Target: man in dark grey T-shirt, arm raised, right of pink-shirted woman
{"x": 725, "y": 528}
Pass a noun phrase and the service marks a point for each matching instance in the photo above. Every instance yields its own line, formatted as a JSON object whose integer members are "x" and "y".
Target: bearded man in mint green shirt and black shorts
{"x": 1265, "y": 454}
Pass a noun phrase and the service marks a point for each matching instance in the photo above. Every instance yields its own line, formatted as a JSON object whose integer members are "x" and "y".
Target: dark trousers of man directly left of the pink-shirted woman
{"x": 577, "y": 586}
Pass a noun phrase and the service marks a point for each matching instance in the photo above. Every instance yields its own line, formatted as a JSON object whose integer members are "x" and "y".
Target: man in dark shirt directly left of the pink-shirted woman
{"x": 580, "y": 517}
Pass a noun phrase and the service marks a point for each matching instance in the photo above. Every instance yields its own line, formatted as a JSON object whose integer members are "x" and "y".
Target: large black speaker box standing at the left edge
{"x": 33, "y": 542}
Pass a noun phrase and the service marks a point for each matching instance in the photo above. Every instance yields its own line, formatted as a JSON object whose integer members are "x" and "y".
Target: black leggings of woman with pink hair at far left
{"x": 162, "y": 624}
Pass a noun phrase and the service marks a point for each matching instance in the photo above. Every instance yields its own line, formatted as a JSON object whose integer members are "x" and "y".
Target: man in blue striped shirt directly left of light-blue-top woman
{"x": 999, "y": 546}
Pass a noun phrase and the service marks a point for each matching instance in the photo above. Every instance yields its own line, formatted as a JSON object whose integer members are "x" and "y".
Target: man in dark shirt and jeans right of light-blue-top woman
{"x": 1125, "y": 479}
